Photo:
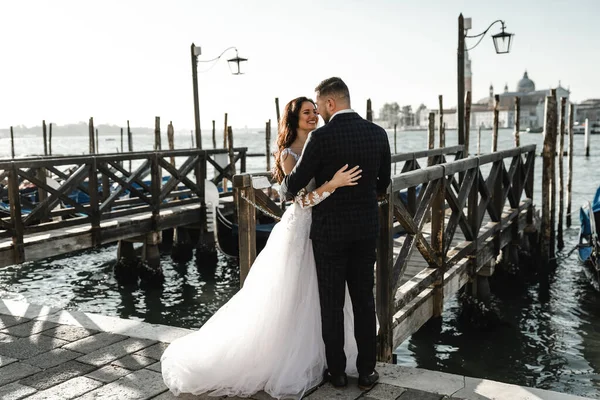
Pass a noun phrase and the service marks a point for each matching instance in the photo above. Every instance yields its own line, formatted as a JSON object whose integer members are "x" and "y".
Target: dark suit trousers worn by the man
{"x": 352, "y": 262}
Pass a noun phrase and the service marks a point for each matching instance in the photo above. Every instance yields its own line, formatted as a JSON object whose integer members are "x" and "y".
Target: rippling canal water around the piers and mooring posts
{"x": 549, "y": 336}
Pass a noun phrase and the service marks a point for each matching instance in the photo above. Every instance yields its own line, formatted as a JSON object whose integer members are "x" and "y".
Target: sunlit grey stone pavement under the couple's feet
{"x": 48, "y": 353}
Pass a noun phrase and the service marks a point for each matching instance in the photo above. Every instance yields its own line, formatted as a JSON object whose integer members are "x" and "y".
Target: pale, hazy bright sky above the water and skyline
{"x": 118, "y": 60}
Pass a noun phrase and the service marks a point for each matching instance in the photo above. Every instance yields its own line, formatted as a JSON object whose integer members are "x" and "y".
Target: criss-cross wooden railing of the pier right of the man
{"x": 457, "y": 197}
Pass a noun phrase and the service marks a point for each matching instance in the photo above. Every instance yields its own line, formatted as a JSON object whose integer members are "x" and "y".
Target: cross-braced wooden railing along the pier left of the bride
{"x": 104, "y": 180}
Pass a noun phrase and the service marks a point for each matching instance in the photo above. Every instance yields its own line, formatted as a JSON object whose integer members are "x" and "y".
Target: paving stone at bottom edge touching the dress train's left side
{"x": 142, "y": 384}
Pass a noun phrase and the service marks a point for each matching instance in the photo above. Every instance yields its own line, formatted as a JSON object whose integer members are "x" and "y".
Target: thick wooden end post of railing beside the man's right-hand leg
{"x": 384, "y": 298}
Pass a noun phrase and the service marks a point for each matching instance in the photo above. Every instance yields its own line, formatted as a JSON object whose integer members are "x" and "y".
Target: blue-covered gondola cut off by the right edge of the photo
{"x": 588, "y": 248}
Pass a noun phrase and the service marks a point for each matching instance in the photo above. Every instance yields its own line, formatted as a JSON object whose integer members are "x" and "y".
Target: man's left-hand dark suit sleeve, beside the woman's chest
{"x": 306, "y": 168}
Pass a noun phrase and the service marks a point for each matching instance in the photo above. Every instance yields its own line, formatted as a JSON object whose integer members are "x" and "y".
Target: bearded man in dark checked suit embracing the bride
{"x": 344, "y": 228}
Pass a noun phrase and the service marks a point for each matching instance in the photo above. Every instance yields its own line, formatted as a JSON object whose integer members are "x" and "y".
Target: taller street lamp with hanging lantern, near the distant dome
{"x": 502, "y": 44}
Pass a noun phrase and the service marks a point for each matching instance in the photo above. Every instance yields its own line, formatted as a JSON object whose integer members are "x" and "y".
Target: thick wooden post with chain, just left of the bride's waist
{"x": 244, "y": 194}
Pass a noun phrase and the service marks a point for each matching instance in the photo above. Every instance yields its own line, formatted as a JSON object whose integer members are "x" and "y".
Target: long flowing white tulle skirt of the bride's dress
{"x": 268, "y": 336}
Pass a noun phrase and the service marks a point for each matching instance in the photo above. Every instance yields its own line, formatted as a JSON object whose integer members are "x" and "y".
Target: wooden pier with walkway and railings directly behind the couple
{"x": 459, "y": 215}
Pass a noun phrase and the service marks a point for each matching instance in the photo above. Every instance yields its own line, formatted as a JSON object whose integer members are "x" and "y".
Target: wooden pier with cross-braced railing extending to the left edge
{"x": 160, "y": 196}
